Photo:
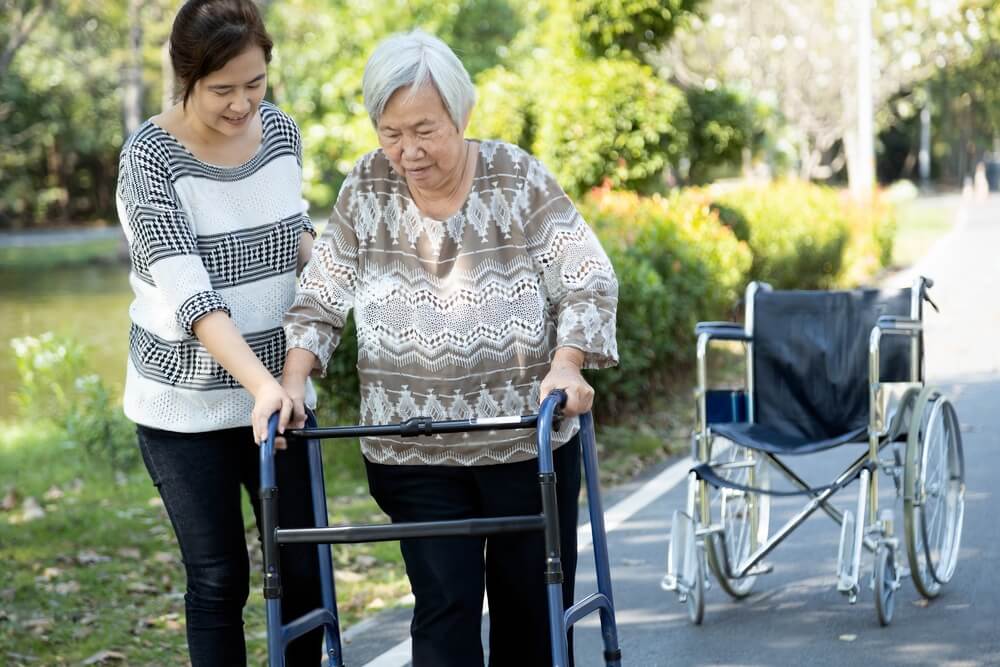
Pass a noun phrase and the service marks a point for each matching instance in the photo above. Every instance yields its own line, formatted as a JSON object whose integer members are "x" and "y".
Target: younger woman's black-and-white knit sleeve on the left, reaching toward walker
{"x": 162, "y": 243}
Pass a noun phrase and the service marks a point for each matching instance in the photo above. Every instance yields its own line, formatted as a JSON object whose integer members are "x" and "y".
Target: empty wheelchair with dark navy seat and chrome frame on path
{"x": 824, "y": 369}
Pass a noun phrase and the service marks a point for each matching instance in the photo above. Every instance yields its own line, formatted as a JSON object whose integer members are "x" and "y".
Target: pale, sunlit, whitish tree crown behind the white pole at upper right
{"x": 803, "y": 57}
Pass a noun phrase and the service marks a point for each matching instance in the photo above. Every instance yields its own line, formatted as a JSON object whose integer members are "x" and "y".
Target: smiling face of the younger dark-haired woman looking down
{"x": 227, "y": 99}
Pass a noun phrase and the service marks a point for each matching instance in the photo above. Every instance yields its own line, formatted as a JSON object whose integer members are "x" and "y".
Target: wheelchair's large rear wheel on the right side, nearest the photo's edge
{"x": 933, "y": 492}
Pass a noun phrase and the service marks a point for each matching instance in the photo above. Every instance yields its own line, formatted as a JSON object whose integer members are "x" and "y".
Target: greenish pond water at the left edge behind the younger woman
{"x": 88, "y": 303}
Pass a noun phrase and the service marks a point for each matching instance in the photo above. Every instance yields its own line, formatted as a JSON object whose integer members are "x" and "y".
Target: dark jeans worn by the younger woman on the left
{"x": 199, "y": 476}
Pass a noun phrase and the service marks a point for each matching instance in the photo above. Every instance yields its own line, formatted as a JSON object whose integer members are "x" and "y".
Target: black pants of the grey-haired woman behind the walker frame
{"x": 448, "y": 575}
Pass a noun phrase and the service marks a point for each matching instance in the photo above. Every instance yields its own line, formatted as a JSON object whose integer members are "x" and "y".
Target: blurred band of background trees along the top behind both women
{"x": 648, "y": 93}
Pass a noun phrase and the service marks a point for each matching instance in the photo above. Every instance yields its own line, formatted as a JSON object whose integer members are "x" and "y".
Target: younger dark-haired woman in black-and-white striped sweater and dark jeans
{"x": 209, "y": 195}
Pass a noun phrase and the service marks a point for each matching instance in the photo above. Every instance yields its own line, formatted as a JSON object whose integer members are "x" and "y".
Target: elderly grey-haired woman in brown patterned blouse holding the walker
{"x": 477, "y": 289}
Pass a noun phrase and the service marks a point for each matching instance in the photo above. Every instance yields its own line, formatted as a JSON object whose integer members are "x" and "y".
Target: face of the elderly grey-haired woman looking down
{"x": 421, "y": 141}
